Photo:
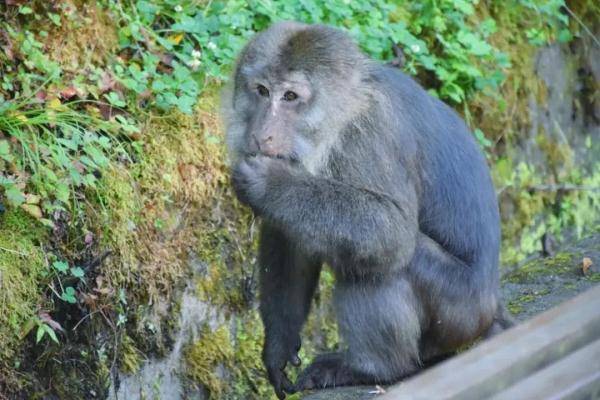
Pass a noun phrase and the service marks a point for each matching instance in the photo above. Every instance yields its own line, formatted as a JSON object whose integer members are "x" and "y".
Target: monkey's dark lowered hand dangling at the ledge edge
{"x": 276, "y": 355}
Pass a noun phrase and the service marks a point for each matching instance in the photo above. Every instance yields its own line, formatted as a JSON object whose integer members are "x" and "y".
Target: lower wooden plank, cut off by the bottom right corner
{"x": 576, "y": 376}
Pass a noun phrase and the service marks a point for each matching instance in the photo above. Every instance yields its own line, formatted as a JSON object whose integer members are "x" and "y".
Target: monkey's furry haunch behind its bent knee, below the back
{"x": 460, "y": 300}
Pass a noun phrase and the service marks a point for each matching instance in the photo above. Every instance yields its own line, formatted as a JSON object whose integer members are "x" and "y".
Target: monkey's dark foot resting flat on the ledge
{"x": 328, "y": 370}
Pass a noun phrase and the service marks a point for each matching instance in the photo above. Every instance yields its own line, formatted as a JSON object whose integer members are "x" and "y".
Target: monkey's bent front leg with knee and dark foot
{"x": 380, "y": 323}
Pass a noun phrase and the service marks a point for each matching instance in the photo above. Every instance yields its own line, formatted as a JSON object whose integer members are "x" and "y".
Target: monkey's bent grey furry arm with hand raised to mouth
{"x": 344, "y": 224}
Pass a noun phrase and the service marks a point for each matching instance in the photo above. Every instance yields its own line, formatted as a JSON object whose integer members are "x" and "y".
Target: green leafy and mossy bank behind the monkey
{"x": 112, "y": 165}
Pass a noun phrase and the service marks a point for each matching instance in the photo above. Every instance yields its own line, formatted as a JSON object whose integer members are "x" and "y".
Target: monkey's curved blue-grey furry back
{"x": 457, "y": 206}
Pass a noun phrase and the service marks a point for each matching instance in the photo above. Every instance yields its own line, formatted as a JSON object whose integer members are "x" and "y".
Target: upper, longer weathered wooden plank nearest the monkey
{"x": 497, "y": 363}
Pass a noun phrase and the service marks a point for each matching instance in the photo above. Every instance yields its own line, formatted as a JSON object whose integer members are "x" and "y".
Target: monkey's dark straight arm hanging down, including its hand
{"x": 287, "y": 284}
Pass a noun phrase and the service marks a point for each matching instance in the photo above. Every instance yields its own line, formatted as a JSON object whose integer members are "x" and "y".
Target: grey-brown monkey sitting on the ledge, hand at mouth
{"x": 351, "y": 163}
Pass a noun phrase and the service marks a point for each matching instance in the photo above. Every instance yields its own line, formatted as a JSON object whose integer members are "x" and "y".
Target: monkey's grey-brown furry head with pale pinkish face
{"x": 295, "y": 86}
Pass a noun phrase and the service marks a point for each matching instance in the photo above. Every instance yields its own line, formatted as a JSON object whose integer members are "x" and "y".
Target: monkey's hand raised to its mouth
{"x": 253, "y": 176}
